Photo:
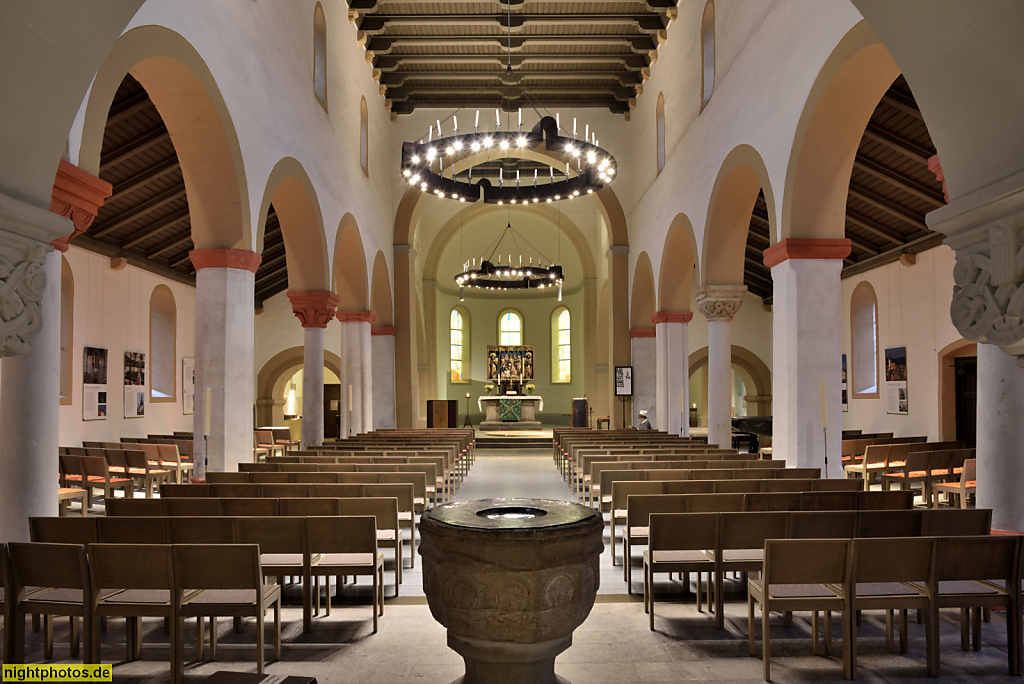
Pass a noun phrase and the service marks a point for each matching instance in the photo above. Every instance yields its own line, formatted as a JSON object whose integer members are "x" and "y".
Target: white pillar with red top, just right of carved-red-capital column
{"x": 357, "y": 388}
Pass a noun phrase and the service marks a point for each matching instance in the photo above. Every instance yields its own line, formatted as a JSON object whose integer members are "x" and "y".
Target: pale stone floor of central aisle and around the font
{"x": 614, "y": 646}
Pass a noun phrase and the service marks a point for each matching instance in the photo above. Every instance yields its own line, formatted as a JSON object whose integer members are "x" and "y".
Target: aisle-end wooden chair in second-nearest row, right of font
{"x": 677, "y": 543}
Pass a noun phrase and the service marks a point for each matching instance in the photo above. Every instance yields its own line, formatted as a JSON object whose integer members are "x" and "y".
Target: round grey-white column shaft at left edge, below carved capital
{"x": 30, "y": 399}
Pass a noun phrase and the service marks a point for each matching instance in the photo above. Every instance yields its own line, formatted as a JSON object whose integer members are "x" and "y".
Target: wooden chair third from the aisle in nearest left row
{"x": 49, "y": 580}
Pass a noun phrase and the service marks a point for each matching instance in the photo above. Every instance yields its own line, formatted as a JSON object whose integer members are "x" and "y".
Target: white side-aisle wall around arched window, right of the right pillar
{"x": 914, "y": 312}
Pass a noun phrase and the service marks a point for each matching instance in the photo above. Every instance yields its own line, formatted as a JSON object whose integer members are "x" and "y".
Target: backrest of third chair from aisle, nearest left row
{"x": 44, "y": 565}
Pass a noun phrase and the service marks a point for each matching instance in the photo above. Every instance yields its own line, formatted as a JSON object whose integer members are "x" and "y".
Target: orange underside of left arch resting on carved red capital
{"x": 294, "y": 200}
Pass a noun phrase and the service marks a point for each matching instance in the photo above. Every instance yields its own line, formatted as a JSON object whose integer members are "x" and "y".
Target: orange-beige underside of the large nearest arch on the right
{"x": 841, "y": 103}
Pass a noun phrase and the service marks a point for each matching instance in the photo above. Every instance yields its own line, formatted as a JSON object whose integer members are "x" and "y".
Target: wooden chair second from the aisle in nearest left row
{"x": 141, "y": 581}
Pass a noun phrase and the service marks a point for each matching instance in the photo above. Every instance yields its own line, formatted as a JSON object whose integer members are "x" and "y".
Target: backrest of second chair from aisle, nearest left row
{"x": 132, "y": 566}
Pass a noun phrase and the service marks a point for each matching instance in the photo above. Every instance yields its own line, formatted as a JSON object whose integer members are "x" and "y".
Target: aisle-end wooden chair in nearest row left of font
{"x": 214, "y": 580}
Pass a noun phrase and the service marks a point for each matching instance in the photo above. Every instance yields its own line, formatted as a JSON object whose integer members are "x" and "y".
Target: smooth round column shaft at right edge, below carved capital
{"x": 1001, "y": 434}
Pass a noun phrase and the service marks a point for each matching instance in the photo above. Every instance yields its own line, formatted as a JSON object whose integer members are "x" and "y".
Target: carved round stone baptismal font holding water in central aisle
{"x": 511, "y": 579}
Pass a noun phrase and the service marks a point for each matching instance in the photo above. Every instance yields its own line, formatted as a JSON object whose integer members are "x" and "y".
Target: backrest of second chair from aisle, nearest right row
{"x": 893, "y": 560}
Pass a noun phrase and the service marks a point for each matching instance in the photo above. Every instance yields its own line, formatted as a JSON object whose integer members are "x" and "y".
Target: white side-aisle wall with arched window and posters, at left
{"x": 112, "y": 312}
